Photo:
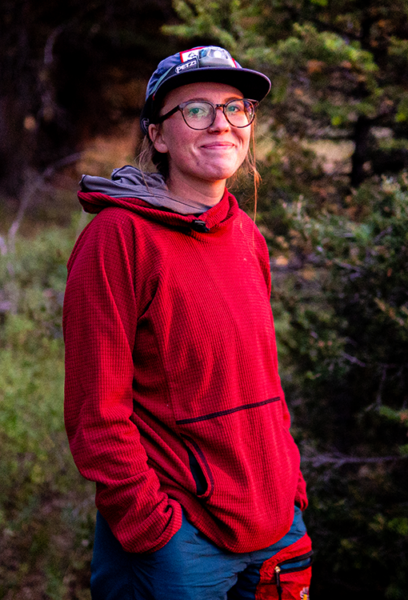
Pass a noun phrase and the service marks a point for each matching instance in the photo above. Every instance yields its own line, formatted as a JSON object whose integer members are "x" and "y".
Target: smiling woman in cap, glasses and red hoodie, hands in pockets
{"x": 173, "y": 401}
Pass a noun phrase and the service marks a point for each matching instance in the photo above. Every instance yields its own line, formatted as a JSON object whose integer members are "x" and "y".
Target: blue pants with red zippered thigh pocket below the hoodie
{"x": 191, "y": 567}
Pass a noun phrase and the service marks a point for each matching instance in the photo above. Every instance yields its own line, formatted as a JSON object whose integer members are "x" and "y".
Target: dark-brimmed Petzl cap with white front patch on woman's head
{"x": 205, "y": 63}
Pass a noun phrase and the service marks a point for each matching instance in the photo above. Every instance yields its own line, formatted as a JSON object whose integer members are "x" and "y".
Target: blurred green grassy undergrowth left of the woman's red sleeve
{"x": 46, "y": 516}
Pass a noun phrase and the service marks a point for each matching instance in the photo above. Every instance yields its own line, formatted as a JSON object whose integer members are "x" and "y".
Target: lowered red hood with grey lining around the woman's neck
{"x": 148, "y": 195}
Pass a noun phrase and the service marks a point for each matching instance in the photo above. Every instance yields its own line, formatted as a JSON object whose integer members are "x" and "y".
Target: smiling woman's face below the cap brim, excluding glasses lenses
{"x": 210, "y": 155}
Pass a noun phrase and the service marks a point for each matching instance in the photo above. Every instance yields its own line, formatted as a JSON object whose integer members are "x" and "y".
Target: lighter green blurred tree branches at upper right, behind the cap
{"x": 333, "y": 66}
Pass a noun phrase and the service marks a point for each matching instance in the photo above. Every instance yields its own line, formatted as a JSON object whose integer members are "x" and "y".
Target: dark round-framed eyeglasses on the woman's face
{"x": 200, "y": 114}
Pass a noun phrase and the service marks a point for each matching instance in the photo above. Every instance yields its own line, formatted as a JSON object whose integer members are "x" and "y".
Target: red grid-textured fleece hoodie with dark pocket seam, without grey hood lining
{"x": 173, "y": 398}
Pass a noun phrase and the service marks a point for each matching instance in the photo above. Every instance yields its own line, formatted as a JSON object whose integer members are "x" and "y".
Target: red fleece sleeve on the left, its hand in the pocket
{"x": 100, "y": 317}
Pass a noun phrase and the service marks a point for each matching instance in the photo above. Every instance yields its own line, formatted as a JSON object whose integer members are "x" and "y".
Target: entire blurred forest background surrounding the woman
{"x": 332, "y": 148}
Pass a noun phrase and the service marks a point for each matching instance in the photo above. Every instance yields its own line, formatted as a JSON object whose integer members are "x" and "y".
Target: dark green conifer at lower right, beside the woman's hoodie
{"x": 346, "y": 333}
